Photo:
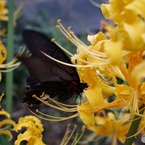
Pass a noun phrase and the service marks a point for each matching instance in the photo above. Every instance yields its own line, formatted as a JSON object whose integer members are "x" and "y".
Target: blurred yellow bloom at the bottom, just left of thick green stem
{"x": 107, "y": 125}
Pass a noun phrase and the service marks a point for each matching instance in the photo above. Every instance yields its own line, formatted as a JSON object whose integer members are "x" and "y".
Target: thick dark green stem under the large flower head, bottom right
{"x": 134, "y": 127}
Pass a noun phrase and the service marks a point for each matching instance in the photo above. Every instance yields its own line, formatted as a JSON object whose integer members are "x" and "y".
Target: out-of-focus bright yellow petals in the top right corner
{"x": 129, "y": 17}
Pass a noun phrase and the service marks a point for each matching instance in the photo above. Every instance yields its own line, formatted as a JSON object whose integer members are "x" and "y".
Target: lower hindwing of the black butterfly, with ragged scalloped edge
{"x": 45, "y": 79}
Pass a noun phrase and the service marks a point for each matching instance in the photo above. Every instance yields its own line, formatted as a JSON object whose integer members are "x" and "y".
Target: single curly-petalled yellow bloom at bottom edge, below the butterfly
{"x": 33, "y": 133}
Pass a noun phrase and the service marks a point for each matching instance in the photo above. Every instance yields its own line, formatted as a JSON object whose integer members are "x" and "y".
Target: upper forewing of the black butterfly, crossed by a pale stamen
{"x": 37, "y": 41}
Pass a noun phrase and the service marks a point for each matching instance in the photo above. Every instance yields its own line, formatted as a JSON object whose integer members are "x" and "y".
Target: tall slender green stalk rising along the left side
{"x": 9, "y": 75}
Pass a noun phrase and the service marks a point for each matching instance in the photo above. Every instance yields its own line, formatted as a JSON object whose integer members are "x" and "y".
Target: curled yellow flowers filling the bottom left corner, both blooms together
{"x": 34, "y": 128}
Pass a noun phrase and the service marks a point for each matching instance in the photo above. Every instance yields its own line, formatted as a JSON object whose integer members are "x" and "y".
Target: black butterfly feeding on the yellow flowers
{"x": 46, "y": 75}
